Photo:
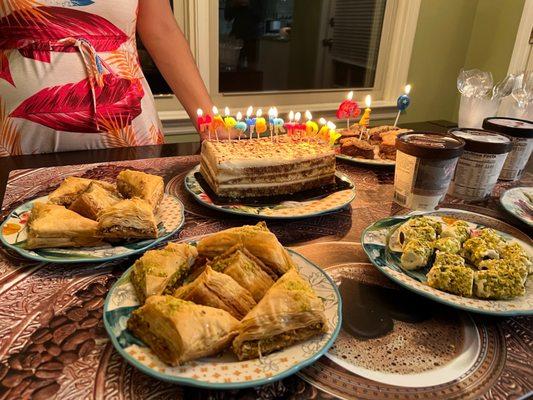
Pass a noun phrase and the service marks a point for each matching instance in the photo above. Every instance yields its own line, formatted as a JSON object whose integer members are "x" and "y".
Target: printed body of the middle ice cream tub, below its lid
{"x": 476, "y": 174}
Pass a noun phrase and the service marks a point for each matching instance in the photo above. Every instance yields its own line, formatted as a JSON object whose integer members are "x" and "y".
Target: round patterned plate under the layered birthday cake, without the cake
{"x": 282, "y": 210}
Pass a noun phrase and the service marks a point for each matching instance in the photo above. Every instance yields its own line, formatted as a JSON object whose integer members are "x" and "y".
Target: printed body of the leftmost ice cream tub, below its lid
{"x": 420, "y": 183}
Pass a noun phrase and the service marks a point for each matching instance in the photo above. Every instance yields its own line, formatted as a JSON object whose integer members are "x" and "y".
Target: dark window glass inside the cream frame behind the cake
{"x": 298, "y": 44}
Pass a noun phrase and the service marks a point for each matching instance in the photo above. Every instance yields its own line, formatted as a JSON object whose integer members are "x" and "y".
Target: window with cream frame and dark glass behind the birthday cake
{"x": 376, "y": 63}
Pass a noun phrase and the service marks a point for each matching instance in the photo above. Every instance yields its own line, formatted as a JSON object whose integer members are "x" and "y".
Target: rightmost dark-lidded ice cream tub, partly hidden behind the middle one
{"x": 521, "y": 133}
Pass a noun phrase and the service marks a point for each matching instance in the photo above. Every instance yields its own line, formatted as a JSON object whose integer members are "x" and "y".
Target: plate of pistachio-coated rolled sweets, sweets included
{"x": 455, "y": 257}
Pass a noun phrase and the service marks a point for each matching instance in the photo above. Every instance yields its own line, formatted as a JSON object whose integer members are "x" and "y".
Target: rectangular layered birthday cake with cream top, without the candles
{"x": 266, "y": 167}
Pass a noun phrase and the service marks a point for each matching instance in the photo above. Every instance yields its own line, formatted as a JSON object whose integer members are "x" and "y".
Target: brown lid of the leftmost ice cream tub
{"x": 438, "y": 146}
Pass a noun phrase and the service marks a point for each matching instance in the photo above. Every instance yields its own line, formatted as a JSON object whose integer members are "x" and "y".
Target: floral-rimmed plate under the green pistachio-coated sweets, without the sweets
{"x": 375, "y": 241}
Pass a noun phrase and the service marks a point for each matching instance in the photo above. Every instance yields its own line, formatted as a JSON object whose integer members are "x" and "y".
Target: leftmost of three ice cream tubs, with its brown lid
{"x": 425, "y": 162}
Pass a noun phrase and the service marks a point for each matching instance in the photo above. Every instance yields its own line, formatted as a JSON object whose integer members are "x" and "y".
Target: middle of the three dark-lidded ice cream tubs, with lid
{"x": 480, "y": 164}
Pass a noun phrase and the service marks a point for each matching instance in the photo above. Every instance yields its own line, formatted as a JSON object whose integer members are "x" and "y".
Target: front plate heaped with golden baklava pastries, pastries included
{"x": 255, "y": 311}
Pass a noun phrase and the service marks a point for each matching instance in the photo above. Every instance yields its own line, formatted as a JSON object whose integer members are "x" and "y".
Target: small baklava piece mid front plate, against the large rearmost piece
{"x": 246, "y": 269}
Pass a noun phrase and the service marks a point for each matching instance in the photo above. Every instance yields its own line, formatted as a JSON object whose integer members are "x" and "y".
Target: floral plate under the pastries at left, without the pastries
{"x": 13, "y": 233}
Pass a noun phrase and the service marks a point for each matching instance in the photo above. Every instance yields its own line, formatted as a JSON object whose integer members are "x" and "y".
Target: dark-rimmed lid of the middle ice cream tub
{"x": 481, "y": 141}
